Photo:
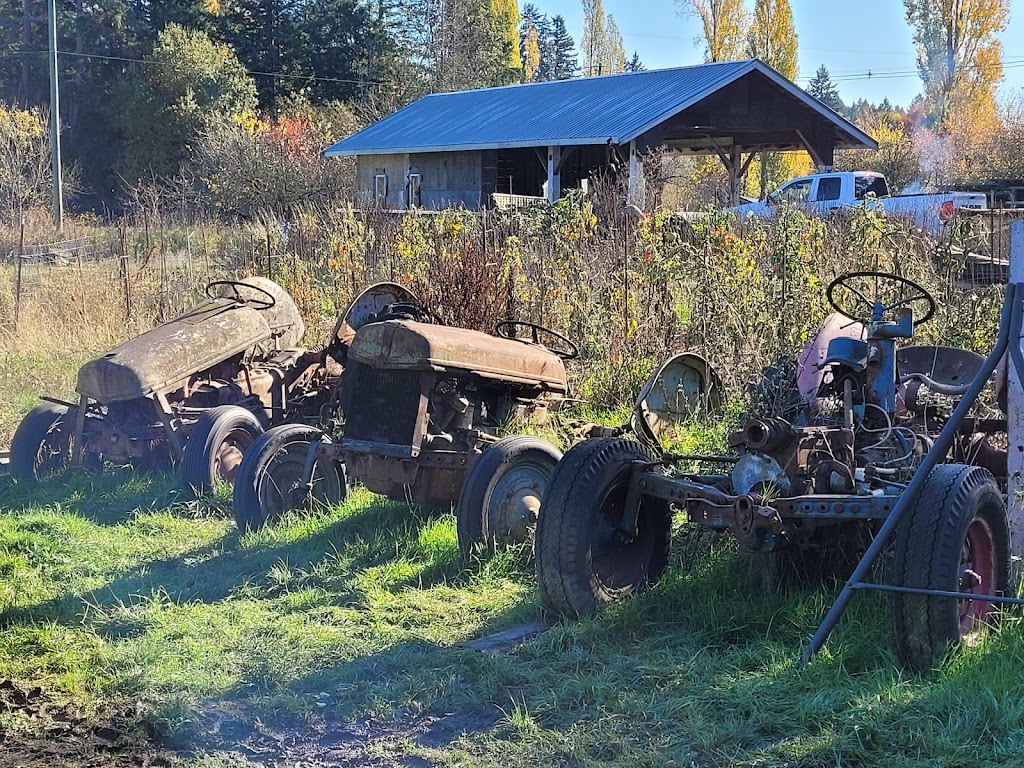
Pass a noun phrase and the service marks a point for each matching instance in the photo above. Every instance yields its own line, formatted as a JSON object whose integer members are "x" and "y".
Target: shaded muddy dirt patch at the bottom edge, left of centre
{"x": 239, "y": 736}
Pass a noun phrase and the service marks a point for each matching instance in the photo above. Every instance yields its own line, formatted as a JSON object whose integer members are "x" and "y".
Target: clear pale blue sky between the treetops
{"x": 850, "y": 38}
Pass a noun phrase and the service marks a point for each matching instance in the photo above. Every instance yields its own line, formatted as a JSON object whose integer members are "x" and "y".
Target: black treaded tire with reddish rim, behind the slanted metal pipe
{"x": 955, "y": 538}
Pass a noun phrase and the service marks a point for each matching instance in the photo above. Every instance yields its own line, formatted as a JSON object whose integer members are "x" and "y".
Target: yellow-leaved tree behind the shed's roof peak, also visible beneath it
{"x": 773, "y": 38}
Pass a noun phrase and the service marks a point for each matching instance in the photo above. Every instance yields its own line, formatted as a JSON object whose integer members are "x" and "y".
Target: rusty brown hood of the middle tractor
{"x": 419, "y": 347}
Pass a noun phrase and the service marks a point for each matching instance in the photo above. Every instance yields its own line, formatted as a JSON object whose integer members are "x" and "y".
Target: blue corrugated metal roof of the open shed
{"x": 586, "y": 111}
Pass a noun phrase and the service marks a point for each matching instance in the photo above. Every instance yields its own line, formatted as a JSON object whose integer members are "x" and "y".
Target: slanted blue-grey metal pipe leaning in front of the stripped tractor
{"x": 1011, "y": 316}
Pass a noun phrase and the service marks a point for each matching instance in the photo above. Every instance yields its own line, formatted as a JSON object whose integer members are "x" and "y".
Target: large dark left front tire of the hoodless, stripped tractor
{"x": 583, "y": 562}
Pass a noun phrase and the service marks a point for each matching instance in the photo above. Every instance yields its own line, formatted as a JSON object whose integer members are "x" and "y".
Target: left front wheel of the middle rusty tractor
{"x": 270, "y": 479}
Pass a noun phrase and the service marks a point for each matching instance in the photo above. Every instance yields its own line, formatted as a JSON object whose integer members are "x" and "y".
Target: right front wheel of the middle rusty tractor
{"x": 501, "y": 497}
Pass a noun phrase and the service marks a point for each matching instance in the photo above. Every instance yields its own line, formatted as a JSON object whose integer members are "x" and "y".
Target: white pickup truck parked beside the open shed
{"x": 825, "y": 193}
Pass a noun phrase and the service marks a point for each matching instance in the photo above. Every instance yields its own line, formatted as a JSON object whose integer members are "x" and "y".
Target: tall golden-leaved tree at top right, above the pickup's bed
{"x": 959, "y": 54}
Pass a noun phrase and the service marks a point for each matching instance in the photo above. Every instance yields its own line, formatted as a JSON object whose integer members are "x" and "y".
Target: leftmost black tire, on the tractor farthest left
{"x": 36, "y": 450}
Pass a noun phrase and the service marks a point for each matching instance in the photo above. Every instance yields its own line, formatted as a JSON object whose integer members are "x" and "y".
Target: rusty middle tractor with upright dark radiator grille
{"x": 422, "y": 406}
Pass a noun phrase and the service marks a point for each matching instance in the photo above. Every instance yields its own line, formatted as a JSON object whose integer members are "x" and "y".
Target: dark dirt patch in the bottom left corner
{"x": 37, "y": 732}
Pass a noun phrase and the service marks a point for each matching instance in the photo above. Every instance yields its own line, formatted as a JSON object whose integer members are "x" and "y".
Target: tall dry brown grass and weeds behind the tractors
{"x": 628, "y": 288}
